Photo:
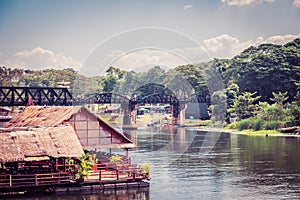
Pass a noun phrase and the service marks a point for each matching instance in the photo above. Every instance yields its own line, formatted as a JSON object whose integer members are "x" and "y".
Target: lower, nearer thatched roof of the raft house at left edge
{"x": 29, "y": 144}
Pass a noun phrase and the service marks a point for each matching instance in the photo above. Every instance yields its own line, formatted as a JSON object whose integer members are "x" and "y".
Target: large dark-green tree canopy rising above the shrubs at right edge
{"x": 265, "y": 69}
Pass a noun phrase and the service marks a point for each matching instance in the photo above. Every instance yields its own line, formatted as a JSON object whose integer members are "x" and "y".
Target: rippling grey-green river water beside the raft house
{"x": 189, "y": 163}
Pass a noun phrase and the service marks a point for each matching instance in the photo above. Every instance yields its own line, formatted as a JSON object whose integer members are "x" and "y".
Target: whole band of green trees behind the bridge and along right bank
{"x": 260, "y": 87}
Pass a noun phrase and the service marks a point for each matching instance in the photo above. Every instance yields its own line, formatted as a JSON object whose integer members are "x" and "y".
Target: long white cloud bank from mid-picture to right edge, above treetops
{"x": 222, "y": 46}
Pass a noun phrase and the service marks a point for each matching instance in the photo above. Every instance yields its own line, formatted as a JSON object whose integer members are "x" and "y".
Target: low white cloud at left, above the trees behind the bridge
{"x": 39, "y": 58}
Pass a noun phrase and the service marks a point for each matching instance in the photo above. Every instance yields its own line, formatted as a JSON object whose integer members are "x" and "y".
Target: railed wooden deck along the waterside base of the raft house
{"x": 102, "y": 177}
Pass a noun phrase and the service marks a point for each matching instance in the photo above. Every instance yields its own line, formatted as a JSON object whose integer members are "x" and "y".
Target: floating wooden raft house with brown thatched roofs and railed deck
{"x": 42, "y": 149}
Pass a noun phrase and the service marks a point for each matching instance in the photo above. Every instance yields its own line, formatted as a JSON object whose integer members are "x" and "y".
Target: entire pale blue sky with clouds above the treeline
{"x": 90, "y": 36}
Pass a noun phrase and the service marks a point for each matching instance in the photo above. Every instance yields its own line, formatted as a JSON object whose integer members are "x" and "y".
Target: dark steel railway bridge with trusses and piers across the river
{"x": 45, "y": 96}
